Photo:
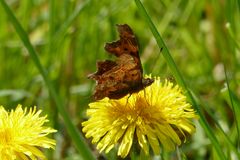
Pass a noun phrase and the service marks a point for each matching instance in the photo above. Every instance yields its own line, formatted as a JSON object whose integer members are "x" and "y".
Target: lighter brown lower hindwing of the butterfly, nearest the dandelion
{"x": 115, "y": 82}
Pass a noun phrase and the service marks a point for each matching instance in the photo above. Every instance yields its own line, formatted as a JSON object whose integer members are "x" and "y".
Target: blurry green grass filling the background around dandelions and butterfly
{"x": 51, "y": 46}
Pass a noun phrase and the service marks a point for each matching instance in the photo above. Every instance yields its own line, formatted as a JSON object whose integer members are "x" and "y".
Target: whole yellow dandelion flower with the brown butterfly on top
{"x": 157, "y": 115}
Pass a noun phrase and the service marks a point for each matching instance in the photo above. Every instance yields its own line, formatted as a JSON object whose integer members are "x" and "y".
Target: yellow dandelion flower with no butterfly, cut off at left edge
{"x": 22, "y": 134}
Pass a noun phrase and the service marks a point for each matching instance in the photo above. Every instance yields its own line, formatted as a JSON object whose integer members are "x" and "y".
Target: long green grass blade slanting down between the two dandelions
{"x": 72, "y": 130}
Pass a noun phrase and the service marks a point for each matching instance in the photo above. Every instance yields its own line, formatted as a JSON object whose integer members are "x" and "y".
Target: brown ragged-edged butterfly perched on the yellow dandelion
{"x": 116, "y": 79}
